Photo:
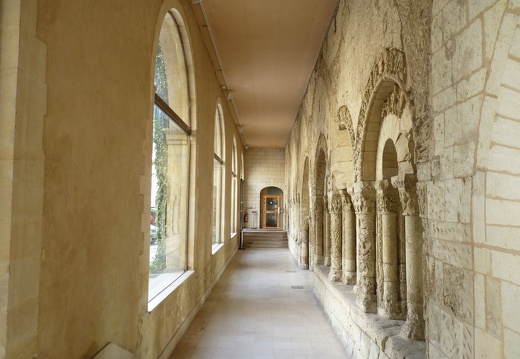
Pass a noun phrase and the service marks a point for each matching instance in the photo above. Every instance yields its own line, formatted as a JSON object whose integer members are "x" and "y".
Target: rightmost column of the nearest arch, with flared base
{"x": 414, "y": 326}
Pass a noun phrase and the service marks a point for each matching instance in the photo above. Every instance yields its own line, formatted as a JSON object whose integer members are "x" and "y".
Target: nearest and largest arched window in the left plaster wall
{"x": 170, "y": 157}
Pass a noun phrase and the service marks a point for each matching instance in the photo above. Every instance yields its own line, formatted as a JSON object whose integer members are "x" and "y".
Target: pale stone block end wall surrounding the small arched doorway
{"x": 264, "y": 167}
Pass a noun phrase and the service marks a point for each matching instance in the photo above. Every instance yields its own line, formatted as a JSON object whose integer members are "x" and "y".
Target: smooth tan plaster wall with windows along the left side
{"x": 77, "y": 180}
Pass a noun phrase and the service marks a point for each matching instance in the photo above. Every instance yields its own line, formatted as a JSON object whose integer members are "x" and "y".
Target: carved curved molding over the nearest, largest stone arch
{"x": 384, "y": 93}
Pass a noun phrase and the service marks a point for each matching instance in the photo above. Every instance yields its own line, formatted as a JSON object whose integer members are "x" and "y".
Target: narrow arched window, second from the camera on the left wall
{"x": 218, "y": 177}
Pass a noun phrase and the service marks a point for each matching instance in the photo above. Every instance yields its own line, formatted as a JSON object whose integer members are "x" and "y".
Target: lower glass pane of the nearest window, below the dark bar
{"x": 168, "y": 215}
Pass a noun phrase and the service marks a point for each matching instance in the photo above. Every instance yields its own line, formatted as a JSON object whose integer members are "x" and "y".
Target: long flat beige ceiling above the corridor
{"x": 264, "y": 52}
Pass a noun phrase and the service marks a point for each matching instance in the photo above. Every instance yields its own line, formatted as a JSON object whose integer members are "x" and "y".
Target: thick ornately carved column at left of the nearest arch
{"x": 364, "y": 204}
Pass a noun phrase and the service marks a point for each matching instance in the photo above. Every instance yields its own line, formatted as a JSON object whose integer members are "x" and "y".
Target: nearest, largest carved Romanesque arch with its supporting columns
{"x": 389, "y": 272}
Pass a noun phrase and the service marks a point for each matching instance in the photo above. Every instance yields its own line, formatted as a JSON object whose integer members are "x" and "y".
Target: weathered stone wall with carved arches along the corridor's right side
{"x": 409, "y": 135}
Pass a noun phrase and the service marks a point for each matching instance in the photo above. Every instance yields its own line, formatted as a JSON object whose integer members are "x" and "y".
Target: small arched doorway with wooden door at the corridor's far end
{"x": 271, "y": 208}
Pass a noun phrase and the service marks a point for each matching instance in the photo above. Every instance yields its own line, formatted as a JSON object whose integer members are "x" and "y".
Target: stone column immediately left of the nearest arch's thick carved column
{"x": 349, "y": 240}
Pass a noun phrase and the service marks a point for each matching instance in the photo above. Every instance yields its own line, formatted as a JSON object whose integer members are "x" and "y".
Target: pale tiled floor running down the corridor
{"x": 263, "y": 307}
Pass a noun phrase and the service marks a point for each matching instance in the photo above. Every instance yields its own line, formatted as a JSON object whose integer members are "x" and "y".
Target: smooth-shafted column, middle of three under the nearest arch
{"x": 387, "y": 205}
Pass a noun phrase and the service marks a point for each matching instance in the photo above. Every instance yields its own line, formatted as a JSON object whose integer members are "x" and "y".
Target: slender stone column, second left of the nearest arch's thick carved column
{"x": 335, "y": 273}
